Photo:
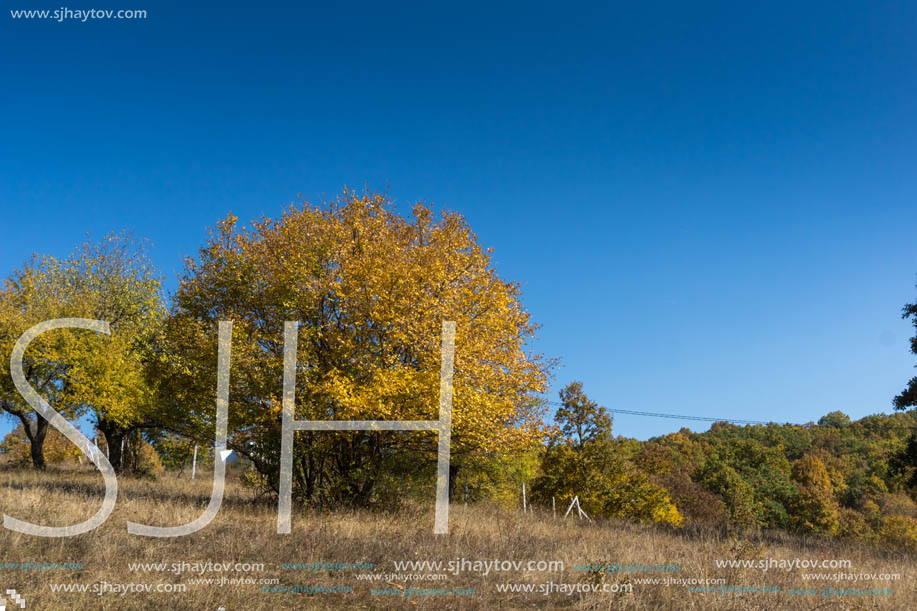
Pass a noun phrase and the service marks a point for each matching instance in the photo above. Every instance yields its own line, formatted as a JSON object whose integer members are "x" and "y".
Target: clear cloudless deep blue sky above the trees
{"x": 712, "y": 208}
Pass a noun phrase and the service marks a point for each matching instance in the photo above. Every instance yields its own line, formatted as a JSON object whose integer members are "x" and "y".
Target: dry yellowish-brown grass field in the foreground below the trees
{"x": 244, "y": 532}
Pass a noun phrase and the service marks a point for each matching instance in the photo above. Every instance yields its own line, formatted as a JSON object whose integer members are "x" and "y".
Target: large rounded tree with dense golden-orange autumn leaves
{"x": 370, "y": 289}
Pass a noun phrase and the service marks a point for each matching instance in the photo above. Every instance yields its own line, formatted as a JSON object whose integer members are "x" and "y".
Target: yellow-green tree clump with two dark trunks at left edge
{"x": 75, "y": 371}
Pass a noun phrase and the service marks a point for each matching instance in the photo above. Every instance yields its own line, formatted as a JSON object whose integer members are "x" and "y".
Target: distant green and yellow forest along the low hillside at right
{"x": 843, "y": 478}
